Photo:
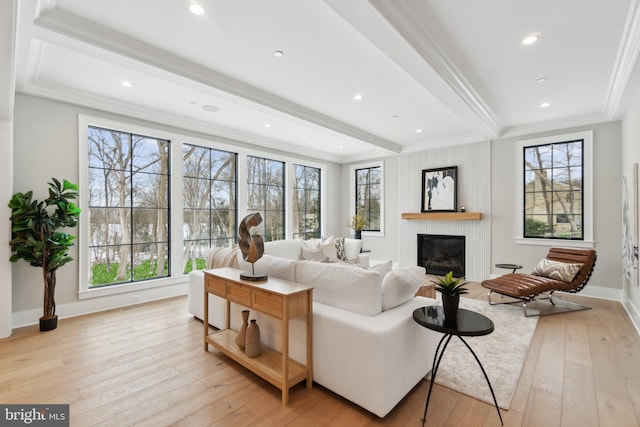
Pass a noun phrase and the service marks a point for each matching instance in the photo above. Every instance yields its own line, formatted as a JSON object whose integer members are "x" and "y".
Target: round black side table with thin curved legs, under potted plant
{"x": 468, "y": 324}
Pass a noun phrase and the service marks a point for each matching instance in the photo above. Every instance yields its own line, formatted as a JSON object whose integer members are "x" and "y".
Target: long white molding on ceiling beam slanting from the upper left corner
{"x": 92, "y": 33}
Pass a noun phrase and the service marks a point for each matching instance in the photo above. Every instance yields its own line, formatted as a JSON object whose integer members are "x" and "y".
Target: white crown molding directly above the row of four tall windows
{"x": 124, "y": 109}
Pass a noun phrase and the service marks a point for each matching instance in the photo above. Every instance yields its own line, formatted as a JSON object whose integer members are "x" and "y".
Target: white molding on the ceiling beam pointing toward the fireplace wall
{"x": 404, "y": 17}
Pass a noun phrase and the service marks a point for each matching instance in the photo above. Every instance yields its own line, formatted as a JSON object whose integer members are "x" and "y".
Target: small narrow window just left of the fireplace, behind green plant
{"x": 368, "y": 195}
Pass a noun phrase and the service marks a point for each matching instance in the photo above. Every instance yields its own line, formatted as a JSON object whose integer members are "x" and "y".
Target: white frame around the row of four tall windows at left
{"x": 176, "y": 199}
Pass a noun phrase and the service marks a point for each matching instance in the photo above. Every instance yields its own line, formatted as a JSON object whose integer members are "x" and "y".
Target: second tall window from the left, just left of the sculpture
{"x": 209, "y": 196}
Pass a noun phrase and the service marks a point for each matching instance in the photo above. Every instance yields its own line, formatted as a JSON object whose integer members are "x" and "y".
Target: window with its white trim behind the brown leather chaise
{"x": 555, "y": 191}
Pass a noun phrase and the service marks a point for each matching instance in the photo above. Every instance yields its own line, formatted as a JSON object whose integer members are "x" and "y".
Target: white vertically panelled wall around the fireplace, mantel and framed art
{"x": 403, "y": 192}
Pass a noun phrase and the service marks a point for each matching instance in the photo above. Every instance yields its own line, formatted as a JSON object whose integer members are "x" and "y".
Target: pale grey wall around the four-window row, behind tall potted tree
{"x": 46, "y": 146}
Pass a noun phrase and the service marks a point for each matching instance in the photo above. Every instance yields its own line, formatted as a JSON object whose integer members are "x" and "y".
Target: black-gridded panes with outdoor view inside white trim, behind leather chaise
{"x": 553, "y": 190}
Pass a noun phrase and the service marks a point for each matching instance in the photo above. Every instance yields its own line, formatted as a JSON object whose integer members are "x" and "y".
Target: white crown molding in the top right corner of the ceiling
{"x": 625, "y": 61}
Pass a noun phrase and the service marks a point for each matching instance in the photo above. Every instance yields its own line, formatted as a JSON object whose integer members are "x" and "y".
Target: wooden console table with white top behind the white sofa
{"x": 278, "y": 298}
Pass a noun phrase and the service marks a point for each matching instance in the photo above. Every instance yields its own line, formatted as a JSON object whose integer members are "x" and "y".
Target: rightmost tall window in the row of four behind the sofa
{"x": 306, "y": 202}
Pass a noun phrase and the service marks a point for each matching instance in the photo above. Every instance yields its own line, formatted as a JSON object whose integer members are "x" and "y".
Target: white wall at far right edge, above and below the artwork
{"x": 631, "y": 155}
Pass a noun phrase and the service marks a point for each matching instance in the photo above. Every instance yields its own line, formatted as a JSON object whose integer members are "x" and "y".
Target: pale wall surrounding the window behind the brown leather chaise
{"x": 607, "y": 215}
